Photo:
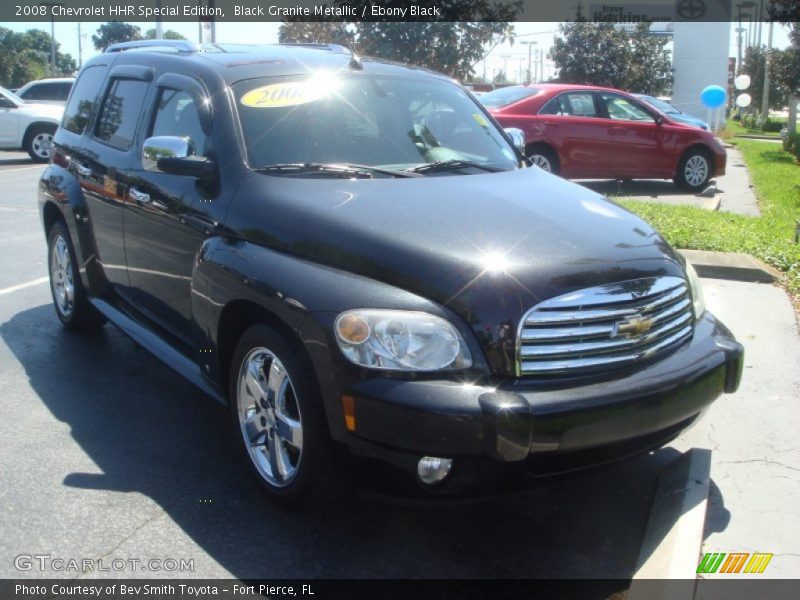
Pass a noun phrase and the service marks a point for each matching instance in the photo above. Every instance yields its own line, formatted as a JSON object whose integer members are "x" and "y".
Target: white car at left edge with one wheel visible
{"x": 28, "y": 126}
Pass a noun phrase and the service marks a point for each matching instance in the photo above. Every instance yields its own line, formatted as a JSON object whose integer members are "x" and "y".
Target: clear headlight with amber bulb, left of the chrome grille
{"x": 400, "y": 340}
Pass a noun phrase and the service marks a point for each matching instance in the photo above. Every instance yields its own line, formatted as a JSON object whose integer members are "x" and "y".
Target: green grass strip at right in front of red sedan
{"x": 776, "y": 177}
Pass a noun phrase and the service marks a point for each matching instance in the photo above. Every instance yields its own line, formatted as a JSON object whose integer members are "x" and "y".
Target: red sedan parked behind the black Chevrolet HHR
{"x": 580, "y": 131}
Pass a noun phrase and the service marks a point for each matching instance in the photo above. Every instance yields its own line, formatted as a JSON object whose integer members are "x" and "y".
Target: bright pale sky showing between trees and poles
{"x": 514, "y": 57}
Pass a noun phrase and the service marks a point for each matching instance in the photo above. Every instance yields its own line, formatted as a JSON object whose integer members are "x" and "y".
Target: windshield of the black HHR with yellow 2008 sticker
{"x": 393, "y": 122}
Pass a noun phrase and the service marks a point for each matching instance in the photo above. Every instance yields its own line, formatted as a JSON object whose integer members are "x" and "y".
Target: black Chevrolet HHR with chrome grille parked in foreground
{"x": 365, "y": 267}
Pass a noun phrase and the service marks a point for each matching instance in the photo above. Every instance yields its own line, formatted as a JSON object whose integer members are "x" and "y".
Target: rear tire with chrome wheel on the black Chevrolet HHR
{"x": 69, "y": 296}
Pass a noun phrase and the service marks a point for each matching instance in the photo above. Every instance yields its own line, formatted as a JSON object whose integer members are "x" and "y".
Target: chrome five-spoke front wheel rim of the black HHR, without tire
{"x": 269, "y": 417}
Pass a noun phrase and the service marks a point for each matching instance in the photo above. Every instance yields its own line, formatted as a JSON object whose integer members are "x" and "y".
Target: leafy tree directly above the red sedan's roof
{"x": 604, "y": 54}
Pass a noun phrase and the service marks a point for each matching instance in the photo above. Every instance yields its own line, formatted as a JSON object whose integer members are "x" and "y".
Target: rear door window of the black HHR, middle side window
{"x": 119, "y": 115}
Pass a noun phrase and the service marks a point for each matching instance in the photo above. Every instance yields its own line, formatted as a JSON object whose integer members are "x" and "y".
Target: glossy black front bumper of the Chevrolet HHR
{"x": 548, "y": 426}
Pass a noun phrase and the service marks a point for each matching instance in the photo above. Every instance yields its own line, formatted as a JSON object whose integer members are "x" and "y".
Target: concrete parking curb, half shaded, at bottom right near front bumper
{"x": 674, "y": 535}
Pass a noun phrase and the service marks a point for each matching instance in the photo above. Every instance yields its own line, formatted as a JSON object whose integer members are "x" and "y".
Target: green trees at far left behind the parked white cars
{"x": 25, "y": 57}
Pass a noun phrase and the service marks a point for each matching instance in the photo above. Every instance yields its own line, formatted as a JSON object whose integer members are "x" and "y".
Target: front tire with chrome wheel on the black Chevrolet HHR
{"x": 279, "y": 423}
